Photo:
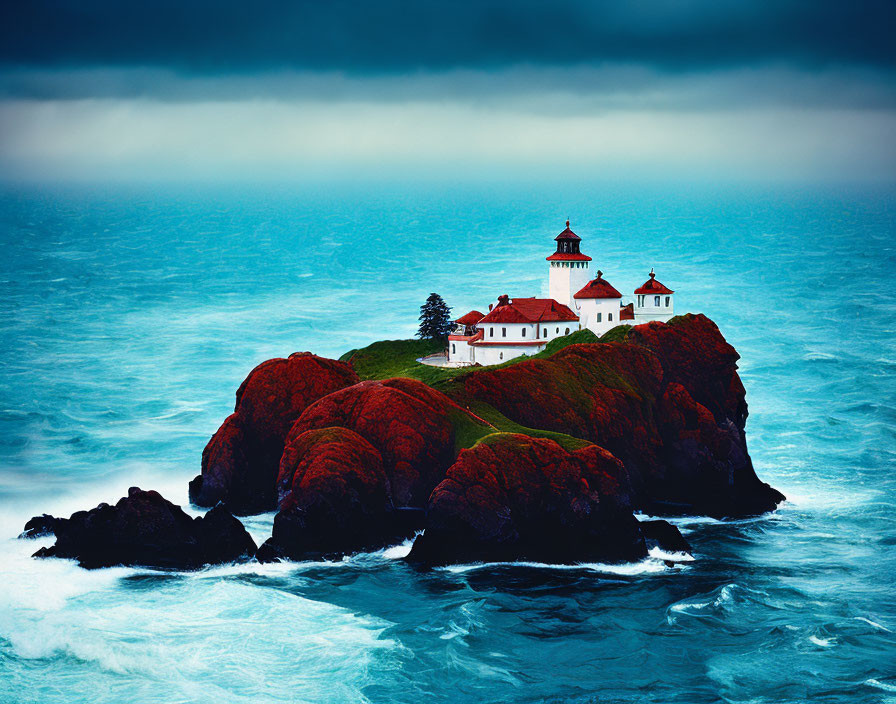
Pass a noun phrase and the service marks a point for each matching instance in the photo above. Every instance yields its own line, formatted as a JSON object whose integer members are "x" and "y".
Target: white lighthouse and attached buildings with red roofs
{"x": 523, "y": 326}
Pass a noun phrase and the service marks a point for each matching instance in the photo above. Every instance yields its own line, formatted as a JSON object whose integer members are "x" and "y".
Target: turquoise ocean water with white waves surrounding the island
{"x": 130, "y": 315}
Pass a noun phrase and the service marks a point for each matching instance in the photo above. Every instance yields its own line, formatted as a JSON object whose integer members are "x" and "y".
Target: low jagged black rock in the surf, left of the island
{"x": 145, "y": 529}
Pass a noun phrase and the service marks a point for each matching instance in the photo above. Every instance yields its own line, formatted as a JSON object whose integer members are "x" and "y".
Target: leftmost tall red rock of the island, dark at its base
{"x": 240, "y": 462}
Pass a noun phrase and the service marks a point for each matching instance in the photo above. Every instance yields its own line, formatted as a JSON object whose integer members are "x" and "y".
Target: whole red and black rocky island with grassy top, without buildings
{"x": 545, "y": 458}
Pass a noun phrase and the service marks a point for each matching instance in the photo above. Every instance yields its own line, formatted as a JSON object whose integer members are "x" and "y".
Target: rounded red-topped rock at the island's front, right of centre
{"x": 513, "y": 497}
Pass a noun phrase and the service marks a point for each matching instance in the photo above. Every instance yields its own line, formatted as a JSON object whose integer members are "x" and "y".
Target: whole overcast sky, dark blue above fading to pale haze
{"x": 703, "y": 89}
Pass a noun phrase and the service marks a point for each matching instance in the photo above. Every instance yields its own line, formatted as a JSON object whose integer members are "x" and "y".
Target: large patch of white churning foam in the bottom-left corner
{"x": 193, "y": 627}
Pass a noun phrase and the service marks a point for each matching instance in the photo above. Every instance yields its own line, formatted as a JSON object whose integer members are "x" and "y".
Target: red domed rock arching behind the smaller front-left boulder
{"x": 413, "y": 427}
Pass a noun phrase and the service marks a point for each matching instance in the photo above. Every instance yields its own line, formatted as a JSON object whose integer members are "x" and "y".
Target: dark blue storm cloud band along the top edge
{"x": 389, "y": 36}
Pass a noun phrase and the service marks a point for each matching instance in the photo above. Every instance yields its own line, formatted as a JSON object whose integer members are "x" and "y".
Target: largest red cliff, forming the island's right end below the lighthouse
{"x": 667, "y": 401}
